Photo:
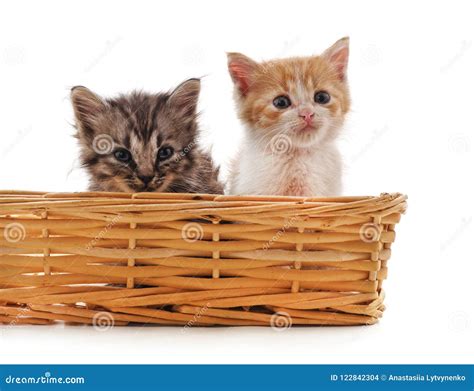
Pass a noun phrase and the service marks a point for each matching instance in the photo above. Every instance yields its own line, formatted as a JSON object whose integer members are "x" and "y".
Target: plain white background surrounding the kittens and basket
{"x": 411, "y": 131}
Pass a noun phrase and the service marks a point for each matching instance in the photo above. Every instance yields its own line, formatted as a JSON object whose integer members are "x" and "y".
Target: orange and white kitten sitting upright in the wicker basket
{"x": 292, "y": 111}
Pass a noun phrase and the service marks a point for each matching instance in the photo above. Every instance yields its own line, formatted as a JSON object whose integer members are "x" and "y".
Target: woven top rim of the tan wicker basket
{"x": 204, "y": 205}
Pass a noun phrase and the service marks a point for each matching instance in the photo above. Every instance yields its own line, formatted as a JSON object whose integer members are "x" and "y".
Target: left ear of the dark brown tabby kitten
{"x": 87, "y": 105}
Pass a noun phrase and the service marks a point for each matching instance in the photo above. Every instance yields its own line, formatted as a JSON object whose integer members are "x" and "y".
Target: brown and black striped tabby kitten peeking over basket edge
{"x": 143, "y": 142}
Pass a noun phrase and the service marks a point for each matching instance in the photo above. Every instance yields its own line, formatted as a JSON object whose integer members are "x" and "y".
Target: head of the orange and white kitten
{"x": 304, "y": 98}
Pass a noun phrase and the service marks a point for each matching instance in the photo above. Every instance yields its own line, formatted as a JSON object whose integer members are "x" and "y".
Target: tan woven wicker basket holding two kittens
{"x": 194, "y": 260}
